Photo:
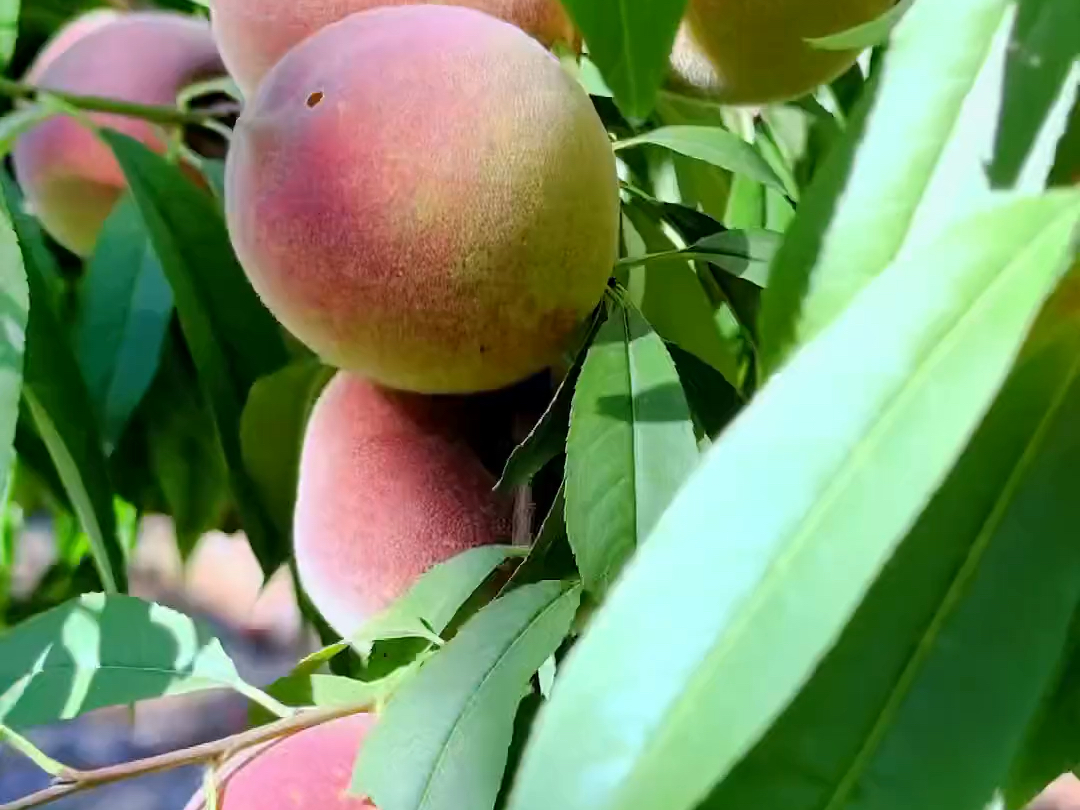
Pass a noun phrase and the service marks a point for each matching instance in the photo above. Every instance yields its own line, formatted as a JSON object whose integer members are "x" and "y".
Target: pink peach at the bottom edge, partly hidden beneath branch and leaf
{"x": 310, "y": 771}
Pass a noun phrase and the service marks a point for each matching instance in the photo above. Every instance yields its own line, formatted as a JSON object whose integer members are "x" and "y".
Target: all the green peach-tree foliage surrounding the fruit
{"x": 801, "y": 496}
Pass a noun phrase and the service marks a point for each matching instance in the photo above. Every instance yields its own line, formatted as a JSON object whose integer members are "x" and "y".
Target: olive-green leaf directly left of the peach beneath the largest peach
{"x": 272, "y": 434}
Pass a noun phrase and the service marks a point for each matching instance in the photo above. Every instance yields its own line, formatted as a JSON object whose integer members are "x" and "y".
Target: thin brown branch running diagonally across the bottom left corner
{"x": 74, "y": 781}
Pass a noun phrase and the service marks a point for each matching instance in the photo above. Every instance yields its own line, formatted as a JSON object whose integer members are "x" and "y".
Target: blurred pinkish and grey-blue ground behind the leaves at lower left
{"x": 259, "y": 624}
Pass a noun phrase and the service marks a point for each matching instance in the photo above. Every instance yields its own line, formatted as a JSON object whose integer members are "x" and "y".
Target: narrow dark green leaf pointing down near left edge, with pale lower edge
{"x": 58, "y": 401}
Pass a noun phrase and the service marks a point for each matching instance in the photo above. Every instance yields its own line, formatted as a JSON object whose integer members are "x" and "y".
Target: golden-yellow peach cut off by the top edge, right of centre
{"x": 755, "y": 52}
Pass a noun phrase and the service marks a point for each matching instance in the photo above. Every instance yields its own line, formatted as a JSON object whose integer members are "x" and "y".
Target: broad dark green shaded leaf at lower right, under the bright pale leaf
{"x": 966, "y": 624}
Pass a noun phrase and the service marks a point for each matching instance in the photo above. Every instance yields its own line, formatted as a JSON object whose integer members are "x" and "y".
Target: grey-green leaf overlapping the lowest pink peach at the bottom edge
{"x": 443, "y": 739}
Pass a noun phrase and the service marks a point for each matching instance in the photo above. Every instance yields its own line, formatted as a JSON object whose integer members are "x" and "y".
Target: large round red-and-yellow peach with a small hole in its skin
{"x": 424, "y": 196}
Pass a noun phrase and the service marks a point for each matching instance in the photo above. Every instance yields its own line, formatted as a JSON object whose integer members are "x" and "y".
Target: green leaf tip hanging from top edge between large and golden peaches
{"x": 630, "y": 42}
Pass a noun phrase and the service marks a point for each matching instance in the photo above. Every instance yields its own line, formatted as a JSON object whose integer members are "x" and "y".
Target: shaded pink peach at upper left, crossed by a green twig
{"x": 71, "y": 178}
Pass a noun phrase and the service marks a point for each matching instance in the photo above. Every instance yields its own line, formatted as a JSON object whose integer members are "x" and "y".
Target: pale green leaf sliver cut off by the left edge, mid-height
{"x": 15, "y": 310}
